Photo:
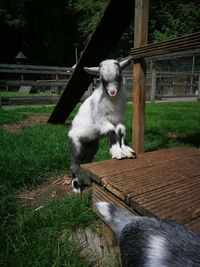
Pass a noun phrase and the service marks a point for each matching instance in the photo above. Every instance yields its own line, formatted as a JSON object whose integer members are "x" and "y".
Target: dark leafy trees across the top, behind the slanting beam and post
{"x": 48, "y": 31}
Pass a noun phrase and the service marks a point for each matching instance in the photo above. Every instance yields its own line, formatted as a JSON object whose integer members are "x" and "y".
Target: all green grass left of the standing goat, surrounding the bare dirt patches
{"x": 28, "y": 157}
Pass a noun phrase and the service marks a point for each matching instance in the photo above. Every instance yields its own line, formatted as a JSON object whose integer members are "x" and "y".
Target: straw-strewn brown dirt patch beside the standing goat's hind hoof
{"x": 53, "y": 188}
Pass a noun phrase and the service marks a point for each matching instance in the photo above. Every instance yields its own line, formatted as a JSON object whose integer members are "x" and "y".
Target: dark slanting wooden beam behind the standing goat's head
{"x": 114, "y": 21}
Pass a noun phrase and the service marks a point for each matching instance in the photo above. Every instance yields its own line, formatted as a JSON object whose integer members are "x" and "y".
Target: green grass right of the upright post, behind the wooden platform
{"x": 180, "y": 118}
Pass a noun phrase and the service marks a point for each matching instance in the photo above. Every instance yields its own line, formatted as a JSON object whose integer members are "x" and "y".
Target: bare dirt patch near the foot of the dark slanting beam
{"x": 30, "y": 121}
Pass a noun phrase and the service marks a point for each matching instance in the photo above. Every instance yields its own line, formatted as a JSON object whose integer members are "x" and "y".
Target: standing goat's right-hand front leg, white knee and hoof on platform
{"x": 121, "y": 133}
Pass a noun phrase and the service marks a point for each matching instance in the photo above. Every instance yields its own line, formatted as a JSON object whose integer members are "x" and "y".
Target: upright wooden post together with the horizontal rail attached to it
{"x": 143, "y": 50}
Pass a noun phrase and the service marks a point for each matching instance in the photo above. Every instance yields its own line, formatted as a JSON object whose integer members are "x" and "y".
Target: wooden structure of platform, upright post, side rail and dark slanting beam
{"x": 163, "y": 183}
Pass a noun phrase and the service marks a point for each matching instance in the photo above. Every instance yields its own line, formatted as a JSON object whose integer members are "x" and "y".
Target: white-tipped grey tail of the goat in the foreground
{"x": 116, "y": 217}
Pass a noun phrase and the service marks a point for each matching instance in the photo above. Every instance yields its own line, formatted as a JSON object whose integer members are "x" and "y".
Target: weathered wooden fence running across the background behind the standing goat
{"x": 173, "y": 75}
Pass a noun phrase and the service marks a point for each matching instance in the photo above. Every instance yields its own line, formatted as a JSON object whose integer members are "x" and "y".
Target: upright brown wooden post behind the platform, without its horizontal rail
{"x": 139, "y": 70}
